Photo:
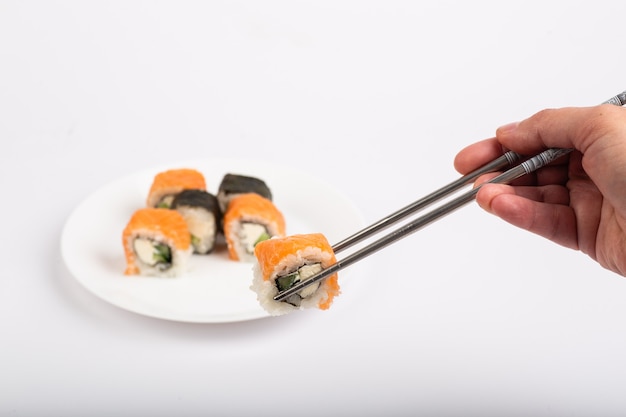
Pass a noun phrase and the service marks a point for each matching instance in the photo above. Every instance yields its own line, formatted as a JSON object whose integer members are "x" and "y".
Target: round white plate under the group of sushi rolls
{"x": 216, "y": 289}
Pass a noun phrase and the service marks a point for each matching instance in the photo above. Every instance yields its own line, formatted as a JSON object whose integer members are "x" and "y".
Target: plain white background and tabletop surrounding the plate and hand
{"x": 468, "y": 317}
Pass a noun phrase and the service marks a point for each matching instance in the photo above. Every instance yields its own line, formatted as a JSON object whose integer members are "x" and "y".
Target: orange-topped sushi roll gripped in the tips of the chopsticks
{"x": 283, "y": 262}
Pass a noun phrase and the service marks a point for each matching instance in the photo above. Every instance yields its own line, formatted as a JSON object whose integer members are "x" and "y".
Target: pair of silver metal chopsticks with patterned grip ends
{"x": 508, "y": 159}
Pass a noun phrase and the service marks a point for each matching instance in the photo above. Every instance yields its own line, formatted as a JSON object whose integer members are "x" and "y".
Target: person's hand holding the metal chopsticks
{"x": 579, "y": 201}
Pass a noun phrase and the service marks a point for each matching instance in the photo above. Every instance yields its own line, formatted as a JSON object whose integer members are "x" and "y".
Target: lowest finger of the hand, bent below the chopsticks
{"x": 554, "y": 221}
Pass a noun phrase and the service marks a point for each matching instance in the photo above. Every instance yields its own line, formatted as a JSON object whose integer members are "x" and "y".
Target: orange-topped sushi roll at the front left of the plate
{"x": 156, "y": 243}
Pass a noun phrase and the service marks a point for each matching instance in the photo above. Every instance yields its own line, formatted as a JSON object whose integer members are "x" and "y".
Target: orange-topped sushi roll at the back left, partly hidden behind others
{"x": 167, "y": 184}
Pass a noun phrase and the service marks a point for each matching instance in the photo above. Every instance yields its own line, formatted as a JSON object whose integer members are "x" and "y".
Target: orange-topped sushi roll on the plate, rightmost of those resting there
{"x": 250, "y": 219}
